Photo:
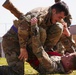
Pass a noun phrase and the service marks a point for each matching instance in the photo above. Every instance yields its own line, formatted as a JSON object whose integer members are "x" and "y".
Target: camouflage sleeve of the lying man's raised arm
{"x": 38, "y": 49}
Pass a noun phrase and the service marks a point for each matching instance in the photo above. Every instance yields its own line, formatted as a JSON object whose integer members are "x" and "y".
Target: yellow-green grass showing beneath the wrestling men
{"x": 28, "y": 69}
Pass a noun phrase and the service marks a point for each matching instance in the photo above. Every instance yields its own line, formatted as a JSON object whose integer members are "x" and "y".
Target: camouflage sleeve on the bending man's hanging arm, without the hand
{"x": 23, "y": 33}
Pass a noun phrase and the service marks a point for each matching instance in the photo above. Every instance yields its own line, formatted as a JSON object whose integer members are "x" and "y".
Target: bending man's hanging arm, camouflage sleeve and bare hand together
{"x": 23, "y": 33}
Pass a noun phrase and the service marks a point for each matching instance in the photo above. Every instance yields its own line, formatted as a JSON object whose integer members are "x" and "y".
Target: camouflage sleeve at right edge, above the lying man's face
{"x": 68, "y": 43}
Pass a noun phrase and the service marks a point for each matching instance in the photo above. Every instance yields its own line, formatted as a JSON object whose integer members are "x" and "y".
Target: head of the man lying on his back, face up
{"x": 69, "y": 61}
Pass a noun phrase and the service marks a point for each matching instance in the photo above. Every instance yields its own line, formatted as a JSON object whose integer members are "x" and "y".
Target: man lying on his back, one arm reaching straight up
{"x": 54, "y": 64}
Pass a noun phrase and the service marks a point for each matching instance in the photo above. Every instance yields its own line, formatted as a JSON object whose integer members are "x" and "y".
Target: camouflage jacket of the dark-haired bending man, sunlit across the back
{"x": 24, "y": 29}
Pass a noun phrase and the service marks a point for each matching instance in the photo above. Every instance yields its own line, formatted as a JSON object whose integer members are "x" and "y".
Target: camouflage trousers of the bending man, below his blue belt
{"x": 12, "y": 50}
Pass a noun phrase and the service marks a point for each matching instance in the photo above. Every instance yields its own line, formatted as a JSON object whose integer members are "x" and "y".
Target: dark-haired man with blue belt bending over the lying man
{"x": 17, "y": 43}
